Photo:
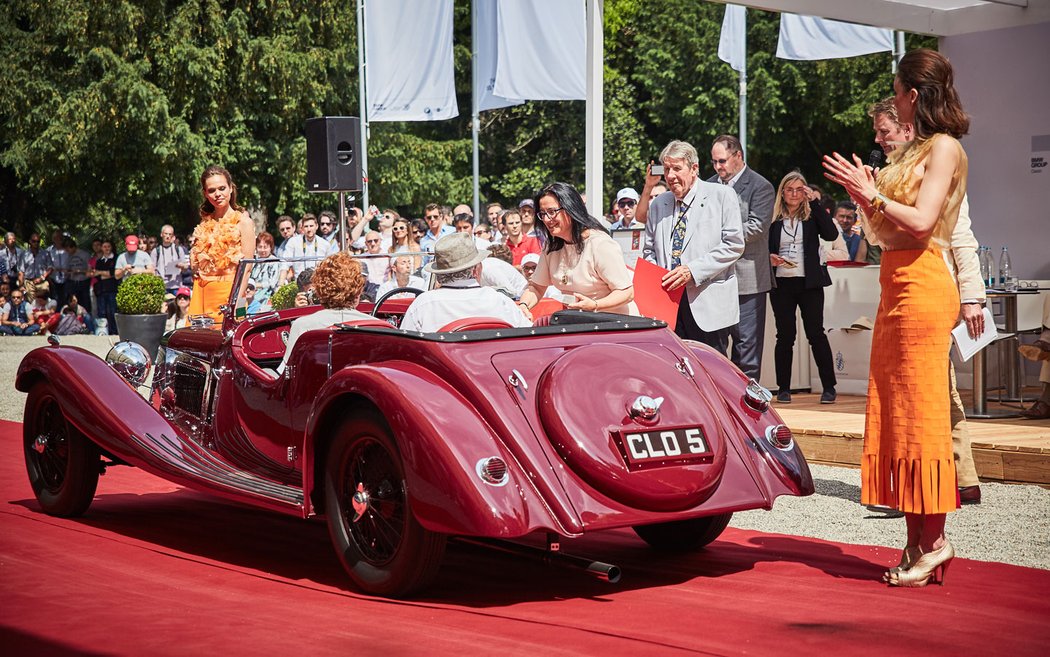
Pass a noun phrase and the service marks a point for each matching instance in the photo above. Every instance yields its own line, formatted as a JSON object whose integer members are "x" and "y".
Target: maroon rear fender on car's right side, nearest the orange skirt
{"x": 782, "y": 472}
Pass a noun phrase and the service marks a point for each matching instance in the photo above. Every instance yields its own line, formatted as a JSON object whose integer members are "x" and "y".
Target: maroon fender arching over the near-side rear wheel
{"x": 442, "y": 438}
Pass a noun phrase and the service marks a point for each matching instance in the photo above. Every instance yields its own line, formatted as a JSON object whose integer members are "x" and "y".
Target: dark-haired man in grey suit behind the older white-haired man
{"x": 754, "y": 278}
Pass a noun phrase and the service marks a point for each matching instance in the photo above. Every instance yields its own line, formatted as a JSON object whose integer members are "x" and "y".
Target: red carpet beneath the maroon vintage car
{"x": 155, "y": 569}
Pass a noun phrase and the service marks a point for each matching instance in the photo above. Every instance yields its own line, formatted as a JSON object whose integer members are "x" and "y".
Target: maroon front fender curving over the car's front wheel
{"x": 100, "y": 404}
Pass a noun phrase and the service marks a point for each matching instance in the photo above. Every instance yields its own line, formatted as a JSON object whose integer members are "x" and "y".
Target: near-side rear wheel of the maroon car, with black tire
{"x": 384, "y": 548}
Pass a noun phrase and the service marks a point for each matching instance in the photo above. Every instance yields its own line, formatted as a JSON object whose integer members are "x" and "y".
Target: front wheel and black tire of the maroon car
{"x": 62, "y": 463}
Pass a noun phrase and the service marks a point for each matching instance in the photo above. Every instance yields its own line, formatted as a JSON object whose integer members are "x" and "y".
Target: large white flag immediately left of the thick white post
{"x": 541, "y": 51}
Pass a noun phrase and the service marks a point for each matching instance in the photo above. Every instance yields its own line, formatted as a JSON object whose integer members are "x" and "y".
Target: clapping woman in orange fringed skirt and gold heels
{"x": 912, "y": 213}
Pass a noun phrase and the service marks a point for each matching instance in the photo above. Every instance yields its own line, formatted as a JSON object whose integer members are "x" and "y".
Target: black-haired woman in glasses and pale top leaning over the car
{"x": 580, "y": 259}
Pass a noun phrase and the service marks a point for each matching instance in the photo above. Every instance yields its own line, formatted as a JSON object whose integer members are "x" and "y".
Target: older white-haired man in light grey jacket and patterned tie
{"x": 695, "y": 231}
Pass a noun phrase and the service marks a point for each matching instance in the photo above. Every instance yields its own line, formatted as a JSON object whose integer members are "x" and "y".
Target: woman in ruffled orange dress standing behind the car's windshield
{"x": 225, "y": 236}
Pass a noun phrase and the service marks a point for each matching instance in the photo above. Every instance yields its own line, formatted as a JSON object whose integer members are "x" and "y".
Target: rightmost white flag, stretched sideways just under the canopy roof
{"x": 812, "y": 38}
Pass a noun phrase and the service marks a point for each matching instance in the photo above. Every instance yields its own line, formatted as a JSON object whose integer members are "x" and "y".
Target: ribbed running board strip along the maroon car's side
{"x": 197, "y": 468}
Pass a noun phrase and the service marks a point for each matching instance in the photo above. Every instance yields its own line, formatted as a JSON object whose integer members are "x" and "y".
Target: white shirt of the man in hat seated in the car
{"x": 465, "y": 299}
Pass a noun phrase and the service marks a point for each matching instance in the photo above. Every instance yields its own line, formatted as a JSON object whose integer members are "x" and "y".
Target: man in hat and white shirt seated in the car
{"x": 457, "y": 267}
